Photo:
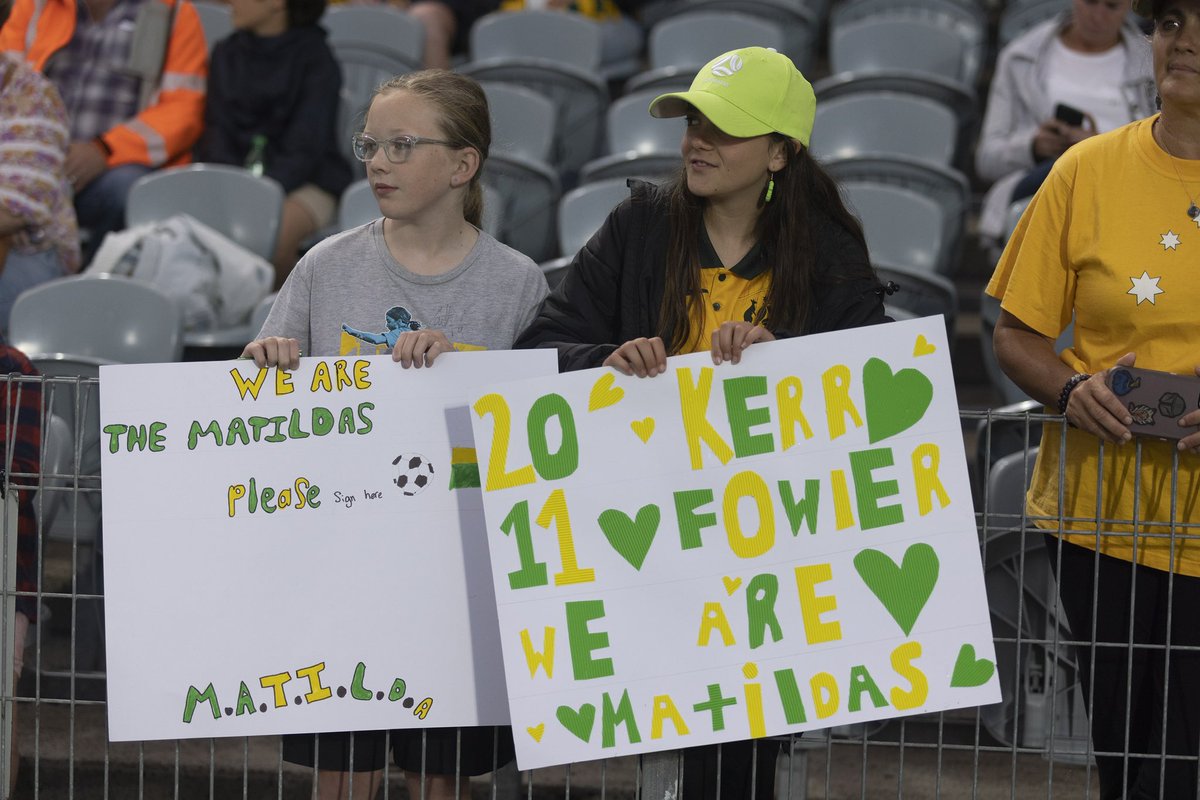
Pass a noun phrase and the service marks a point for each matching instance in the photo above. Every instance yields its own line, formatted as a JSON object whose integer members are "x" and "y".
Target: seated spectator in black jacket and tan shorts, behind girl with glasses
{"x": 272, "y": 106}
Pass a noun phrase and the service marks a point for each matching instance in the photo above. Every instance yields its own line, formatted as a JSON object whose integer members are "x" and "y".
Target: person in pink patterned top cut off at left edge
{"x": 38, "y": 224}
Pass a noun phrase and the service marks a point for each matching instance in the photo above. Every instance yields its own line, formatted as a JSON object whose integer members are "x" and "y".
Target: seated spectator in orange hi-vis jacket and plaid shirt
{"x": 130, "y": 109}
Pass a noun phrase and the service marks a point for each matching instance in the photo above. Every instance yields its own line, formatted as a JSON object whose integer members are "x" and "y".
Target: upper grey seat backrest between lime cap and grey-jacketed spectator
{"x": 890, "y": 44}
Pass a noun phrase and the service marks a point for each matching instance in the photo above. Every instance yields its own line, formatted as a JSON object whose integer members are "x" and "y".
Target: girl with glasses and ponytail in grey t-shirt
{"x": 419, "y": 282}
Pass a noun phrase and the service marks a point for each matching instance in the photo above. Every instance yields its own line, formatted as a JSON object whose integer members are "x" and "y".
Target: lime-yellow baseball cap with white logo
{"x": 746, "y": 93}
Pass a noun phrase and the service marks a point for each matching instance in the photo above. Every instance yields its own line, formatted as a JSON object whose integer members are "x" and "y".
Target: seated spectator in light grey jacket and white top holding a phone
{"x": 1089, "y": 59}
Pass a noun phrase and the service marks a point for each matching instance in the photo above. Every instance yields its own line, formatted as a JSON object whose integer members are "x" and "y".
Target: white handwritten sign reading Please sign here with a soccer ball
{"x": 298, "y": 552}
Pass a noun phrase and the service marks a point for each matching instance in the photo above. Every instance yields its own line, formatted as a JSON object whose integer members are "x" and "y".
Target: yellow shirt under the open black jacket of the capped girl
{"x": 730, "y": 294}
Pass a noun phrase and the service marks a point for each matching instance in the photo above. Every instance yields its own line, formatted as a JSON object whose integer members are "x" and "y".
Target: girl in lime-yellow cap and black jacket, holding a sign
{"x": 751, "y": 244}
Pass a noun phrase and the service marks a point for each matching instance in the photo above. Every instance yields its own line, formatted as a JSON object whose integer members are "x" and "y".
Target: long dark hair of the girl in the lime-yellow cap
{"x": 784, "y": 230}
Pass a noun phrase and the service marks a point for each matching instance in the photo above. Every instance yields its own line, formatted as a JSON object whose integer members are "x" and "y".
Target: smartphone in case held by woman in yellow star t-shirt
{"x": 1156, "y": 400}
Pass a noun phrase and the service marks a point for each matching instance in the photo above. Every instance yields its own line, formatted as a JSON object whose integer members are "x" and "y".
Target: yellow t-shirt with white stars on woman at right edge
{"x": 1108, "y": 238}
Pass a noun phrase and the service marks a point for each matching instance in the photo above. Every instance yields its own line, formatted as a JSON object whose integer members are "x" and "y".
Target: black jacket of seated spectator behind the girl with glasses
{"x": 287, "y": 89}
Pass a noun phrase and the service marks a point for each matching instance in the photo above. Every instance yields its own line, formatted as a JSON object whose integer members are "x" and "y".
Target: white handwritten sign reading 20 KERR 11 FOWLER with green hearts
{"x": 734, "y": 552}
